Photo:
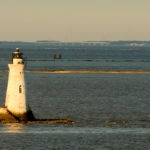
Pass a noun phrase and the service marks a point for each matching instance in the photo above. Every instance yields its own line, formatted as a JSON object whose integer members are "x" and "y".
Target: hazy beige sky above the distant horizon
{"x": 74, "y": 20}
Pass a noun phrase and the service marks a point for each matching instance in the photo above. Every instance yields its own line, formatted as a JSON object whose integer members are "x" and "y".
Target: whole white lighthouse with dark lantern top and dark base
{"x": 16, "y": 103}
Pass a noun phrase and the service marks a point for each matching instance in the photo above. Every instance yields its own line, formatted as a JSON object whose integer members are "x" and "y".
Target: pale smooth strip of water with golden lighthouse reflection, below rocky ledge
{"x": 46, "y": 129}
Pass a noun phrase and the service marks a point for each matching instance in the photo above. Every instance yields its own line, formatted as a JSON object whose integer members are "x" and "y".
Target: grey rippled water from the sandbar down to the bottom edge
{"x": 98, "y": 103}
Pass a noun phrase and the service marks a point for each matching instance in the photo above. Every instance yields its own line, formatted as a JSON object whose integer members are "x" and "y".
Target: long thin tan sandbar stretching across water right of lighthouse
{"x": 92, "y": 71}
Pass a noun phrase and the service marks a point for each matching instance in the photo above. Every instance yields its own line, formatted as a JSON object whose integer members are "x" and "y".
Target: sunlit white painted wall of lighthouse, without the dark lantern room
{"x": 16, "y": 91}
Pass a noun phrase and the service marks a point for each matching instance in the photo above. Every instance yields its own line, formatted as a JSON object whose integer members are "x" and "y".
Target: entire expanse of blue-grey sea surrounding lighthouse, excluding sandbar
{"x": 110, "y": 111}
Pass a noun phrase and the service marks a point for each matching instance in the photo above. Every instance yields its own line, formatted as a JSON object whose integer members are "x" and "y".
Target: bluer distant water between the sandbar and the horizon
{"x": 115, "y": 56}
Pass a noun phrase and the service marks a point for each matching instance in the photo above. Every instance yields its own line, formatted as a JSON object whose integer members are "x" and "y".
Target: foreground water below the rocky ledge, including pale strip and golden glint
{"x": 47, "y": 137}
